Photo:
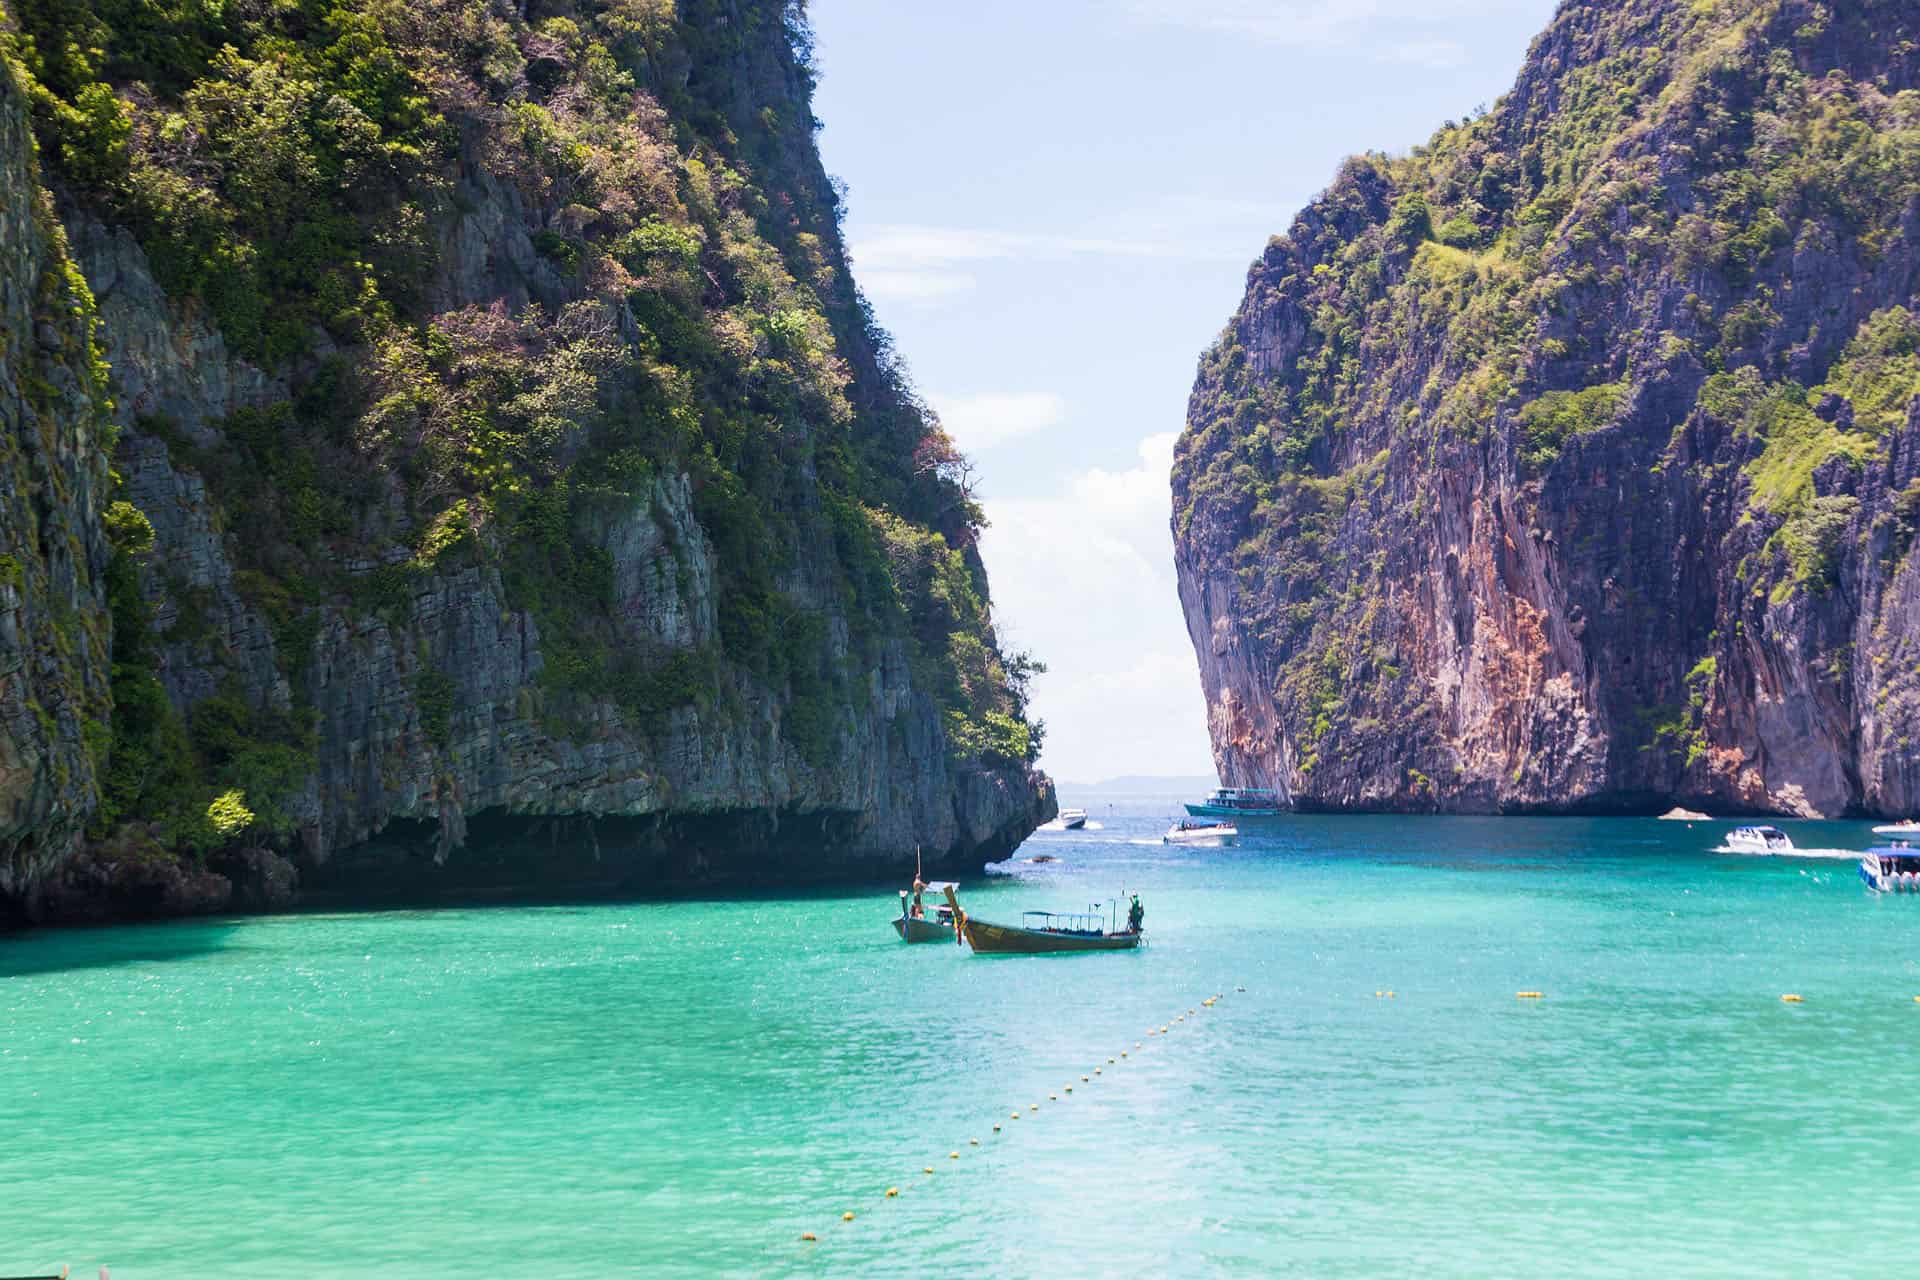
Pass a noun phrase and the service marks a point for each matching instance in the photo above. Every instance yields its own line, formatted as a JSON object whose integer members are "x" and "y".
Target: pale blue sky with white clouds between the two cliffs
{"x": 1053, "y": 206}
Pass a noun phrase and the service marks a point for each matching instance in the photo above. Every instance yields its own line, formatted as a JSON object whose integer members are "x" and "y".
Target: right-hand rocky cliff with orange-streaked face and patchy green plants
{"x": 1573, "y": 462}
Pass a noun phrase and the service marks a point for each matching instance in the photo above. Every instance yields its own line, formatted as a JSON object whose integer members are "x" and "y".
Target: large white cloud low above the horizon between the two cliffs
{"x": 1086, "y": 581}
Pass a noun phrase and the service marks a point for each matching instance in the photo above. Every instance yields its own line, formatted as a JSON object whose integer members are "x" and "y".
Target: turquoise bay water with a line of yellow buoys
{"x": 683, "y": 1089}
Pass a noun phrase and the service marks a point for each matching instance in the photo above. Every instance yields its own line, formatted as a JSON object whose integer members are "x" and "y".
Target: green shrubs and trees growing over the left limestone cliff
{"x": 669, "y": 298}
